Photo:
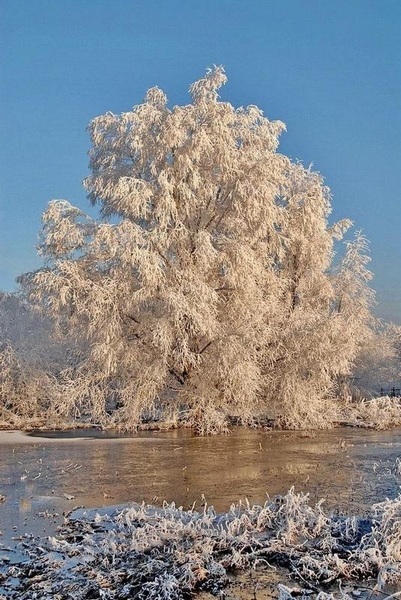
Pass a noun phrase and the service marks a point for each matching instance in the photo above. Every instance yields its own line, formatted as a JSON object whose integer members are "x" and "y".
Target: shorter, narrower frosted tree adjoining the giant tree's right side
{"x": 303, "y": 359}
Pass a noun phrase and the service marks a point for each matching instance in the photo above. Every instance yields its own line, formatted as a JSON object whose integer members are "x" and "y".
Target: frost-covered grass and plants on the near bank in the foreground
{"x": 146, "y": 553}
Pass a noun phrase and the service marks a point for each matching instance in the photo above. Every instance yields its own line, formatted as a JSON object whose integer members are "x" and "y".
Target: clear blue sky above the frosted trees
{"x": 330, "y": 69}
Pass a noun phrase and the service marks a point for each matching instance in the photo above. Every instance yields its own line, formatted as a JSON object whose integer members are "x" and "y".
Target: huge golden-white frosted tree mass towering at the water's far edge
{"x": 204, "y": 287}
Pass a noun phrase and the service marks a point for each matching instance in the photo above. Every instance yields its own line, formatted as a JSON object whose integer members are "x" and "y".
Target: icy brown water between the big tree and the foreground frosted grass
{"x": 43, "y": 477}
